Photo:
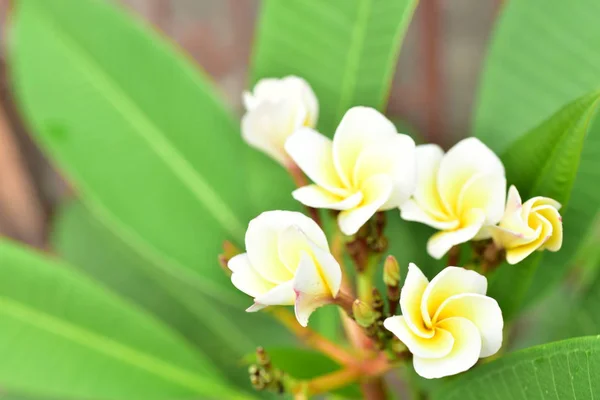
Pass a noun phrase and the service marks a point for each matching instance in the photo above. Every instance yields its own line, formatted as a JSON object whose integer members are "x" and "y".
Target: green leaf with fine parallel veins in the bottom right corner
{"x": 561, "y": 370}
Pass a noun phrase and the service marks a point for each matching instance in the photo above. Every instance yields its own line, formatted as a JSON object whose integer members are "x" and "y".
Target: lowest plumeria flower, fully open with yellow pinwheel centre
{"x": 448, "y": 323}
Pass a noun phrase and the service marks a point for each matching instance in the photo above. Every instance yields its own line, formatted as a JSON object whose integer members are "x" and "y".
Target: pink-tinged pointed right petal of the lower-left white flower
{"x": 311, "y": 290}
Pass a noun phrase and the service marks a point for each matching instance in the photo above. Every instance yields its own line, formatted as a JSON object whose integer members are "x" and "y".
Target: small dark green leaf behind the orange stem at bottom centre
{"x": 306, "y": 364}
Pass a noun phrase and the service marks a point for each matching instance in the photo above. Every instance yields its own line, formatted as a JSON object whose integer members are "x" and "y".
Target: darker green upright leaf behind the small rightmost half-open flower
{"x": 543, "y": 162}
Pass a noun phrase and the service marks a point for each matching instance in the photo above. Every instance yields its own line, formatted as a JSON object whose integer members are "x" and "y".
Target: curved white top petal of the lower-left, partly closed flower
{"x": 262, "y": 241}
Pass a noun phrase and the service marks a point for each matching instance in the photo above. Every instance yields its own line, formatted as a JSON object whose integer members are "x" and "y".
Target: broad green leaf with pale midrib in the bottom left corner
{"x": 66, "y": 337}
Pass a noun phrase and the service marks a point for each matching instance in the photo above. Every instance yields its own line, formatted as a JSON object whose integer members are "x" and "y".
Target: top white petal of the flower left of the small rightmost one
{"x": 466, "y": 159}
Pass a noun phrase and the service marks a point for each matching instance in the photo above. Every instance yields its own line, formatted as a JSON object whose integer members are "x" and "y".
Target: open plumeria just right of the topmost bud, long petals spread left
{"x": 368, "y": 167}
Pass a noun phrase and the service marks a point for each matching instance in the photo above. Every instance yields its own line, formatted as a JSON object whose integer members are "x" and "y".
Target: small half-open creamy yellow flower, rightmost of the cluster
{"x": 526, "y": 227}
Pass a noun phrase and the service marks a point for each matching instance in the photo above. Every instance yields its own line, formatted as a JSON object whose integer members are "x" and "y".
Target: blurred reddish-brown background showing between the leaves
{"x": 432, "y": 92}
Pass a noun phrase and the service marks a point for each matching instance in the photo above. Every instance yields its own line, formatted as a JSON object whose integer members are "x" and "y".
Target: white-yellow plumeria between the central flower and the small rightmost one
{"x": 460, "y": 193}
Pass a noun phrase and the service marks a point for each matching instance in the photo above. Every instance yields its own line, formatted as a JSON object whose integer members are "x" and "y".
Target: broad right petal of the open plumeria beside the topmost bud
{"x": 394, "y": 157}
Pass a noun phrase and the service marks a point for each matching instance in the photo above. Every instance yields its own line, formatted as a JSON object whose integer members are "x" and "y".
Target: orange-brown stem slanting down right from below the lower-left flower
{"x": 312, "y": 338}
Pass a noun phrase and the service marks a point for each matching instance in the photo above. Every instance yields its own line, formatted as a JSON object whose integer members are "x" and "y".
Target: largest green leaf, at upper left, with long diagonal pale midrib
{"x": 138, "y": 130}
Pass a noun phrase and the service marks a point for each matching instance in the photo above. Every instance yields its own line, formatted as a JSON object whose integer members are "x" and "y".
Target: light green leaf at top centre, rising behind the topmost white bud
{"x": 346, "y": 50}
